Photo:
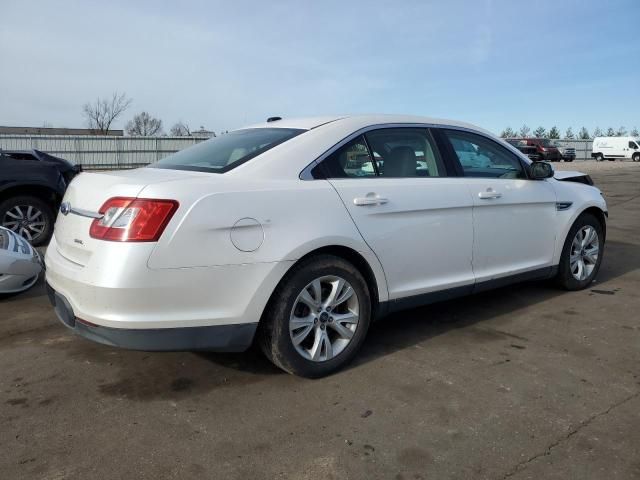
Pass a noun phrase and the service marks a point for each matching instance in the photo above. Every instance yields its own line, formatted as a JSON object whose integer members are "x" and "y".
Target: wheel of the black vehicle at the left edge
{"x": 29, "y": 217}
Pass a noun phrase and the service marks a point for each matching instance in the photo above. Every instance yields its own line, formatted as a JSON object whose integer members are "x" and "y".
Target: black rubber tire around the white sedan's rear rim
{"x": 283, "y": 352}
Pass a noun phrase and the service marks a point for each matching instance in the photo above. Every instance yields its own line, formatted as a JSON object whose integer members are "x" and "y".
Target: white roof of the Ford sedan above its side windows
{"x": 360, "y": 121}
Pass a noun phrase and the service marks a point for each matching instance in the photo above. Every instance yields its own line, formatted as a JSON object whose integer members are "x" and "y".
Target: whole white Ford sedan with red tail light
{"x": 300, "y": 232}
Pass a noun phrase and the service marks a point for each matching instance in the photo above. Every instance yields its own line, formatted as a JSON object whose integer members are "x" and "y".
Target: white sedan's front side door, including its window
{"x": 514, "y": 217}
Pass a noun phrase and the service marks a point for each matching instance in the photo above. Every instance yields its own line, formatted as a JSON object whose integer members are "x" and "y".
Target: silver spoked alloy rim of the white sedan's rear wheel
{"x": 324, "y": 318}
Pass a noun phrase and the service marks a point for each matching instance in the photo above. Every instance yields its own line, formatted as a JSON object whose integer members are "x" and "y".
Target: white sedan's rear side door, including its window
{"x": 415, "y": 218}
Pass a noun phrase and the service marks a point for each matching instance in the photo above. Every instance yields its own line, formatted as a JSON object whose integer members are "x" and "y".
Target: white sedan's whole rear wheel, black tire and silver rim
{"x": 317, "y": 318}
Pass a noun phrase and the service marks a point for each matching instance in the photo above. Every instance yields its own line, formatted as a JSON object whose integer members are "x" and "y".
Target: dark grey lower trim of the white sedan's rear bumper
{"x": 221, "y": 338}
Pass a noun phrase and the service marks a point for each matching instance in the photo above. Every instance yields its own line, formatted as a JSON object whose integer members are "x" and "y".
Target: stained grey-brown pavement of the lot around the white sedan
{"x": 526, "y": 382}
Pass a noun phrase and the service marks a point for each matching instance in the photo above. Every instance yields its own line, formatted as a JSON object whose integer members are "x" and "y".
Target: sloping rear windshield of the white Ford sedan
{"x": 223, "y": 153}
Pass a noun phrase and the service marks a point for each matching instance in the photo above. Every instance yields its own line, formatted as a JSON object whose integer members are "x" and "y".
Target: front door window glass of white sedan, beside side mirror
{"x": 482, "y": 157}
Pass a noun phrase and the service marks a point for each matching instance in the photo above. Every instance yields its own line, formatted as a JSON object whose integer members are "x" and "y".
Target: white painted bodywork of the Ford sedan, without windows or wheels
{"x": 432, "y": 234}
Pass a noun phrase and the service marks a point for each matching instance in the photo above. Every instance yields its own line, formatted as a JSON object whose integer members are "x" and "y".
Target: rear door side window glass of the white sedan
{"x": 387, "y": 152}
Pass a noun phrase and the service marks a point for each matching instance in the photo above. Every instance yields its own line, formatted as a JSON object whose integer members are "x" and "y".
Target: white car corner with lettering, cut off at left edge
{"x": 20, "y": 263}
